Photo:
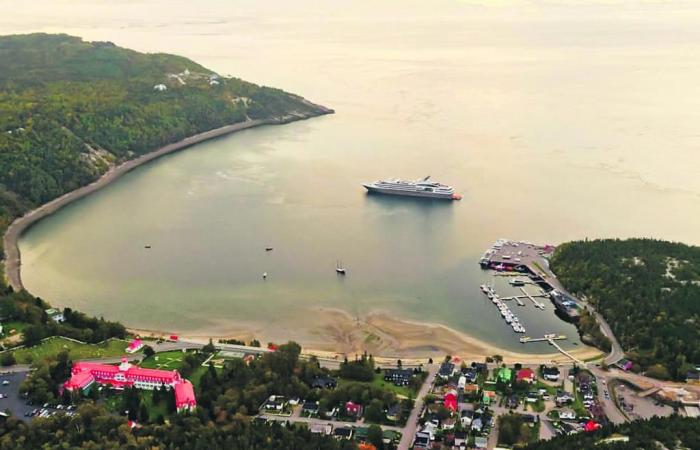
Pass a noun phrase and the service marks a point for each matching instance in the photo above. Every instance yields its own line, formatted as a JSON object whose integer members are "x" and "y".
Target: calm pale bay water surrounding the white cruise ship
{"x": 554, "y": 122}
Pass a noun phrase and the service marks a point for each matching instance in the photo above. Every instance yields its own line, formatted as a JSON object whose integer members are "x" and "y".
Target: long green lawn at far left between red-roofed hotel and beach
{"x": 52, "y": 347}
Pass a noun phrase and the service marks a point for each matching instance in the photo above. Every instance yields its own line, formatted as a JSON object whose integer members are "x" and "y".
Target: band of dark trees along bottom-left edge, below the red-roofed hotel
{"x": 95, "y": 428}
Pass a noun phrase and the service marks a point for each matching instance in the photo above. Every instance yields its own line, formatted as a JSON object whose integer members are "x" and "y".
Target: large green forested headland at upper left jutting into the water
{"x": 69, "y": 109}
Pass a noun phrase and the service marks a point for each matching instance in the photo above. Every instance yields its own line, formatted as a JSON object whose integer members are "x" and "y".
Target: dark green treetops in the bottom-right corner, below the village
{"x": 656, "y": 433}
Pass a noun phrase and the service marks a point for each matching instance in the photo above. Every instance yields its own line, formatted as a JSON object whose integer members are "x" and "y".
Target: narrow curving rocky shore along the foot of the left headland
{"x": 13, "y": 258}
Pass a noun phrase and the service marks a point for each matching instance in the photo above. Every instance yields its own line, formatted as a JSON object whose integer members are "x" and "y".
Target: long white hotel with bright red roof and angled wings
{"x": 85, "y": 374}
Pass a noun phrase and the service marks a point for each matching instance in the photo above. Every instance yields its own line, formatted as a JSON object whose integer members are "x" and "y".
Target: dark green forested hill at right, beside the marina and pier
{"x": 649, "y": 293}
